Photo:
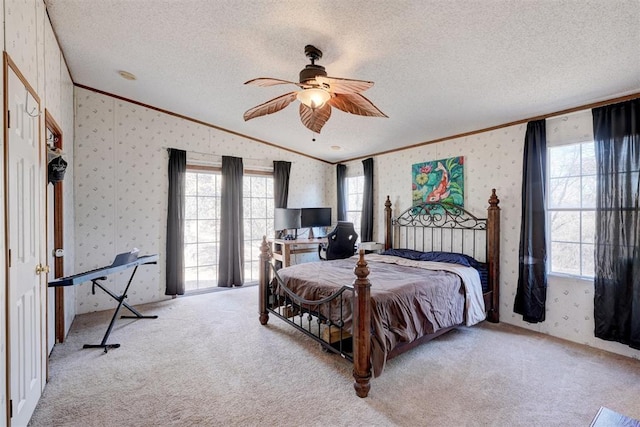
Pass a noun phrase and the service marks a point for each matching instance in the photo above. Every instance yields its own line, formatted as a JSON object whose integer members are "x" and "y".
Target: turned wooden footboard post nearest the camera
{"x": 362, "y": 328}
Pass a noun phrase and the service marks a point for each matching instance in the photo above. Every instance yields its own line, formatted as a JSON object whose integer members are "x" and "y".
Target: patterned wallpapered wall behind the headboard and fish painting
{"x": 494, "y": 160}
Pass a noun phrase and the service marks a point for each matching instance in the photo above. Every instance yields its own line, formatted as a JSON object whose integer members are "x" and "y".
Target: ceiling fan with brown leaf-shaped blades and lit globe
{"x": 317, "y": 94}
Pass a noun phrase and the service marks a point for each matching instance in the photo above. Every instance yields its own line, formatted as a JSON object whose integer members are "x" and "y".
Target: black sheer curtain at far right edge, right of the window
{"x": 616, "y": 131}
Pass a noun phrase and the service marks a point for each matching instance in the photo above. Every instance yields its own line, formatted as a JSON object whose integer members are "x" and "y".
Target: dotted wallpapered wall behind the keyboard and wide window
{"x": 121, "y": 185}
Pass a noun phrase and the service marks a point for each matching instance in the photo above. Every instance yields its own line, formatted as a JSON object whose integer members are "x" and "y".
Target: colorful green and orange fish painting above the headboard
{"x": 438, "y": 181}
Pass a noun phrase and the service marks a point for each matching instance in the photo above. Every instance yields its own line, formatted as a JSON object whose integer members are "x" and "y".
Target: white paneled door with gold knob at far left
{"x": 25, "y": 186}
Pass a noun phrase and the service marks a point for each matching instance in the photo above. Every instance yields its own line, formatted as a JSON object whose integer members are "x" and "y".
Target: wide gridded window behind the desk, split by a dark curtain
{"x": 202, "y": 225}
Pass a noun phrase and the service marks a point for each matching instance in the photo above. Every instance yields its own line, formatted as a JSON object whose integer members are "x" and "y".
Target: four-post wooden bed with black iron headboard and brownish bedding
{"x": 439, "y": 270}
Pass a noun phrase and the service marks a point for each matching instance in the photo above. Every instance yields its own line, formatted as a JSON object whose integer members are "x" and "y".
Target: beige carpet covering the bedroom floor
{"x": 207, "y": 361}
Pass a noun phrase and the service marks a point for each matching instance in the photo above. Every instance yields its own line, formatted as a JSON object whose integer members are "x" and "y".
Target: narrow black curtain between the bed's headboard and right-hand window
{"x": 531, "y": 293}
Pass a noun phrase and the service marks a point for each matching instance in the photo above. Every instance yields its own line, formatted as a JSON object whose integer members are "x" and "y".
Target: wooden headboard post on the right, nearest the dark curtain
{"x": 493, "y": 255}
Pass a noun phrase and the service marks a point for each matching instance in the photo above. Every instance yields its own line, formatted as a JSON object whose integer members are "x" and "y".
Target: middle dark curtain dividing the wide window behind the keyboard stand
{"x": 231, "y": 259}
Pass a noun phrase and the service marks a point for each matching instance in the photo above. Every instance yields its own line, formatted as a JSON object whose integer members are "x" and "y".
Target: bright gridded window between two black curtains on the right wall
{"x": 571, "y": 202}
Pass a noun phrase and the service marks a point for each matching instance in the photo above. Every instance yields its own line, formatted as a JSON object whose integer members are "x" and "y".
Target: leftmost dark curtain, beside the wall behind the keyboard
{"x": 175, "y": 223}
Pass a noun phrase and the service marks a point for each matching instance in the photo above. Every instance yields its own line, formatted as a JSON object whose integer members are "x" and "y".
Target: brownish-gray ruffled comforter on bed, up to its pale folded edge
{"x": 407, "y": 302}
